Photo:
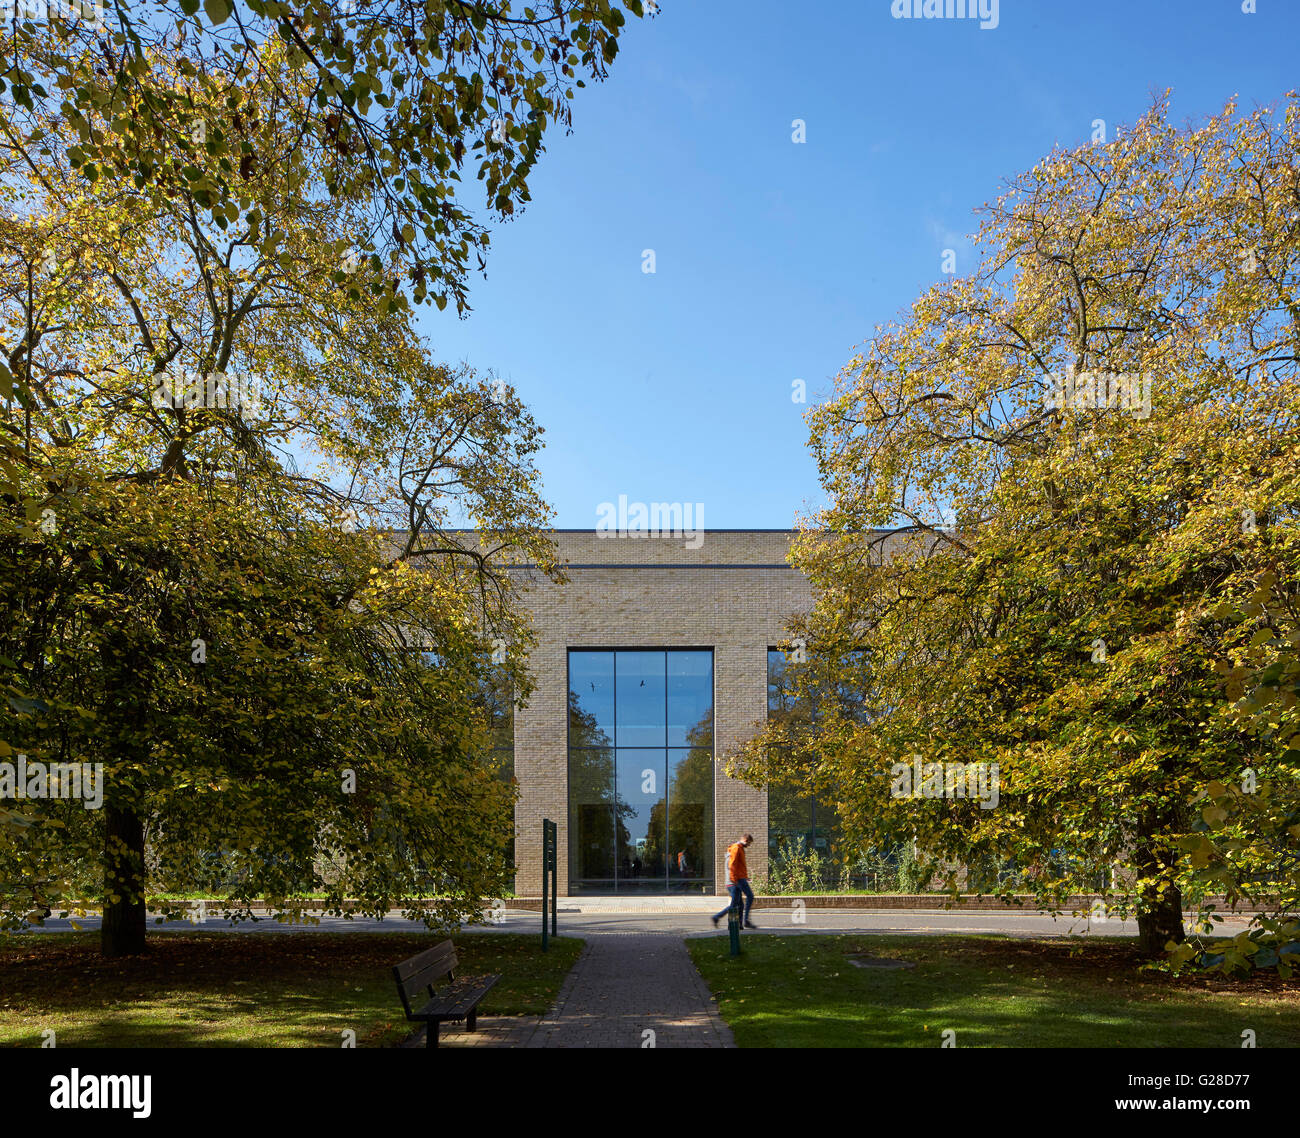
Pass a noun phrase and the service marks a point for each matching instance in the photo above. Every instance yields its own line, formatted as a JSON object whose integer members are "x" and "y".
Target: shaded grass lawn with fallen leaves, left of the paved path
{"x": 249, "y": 989}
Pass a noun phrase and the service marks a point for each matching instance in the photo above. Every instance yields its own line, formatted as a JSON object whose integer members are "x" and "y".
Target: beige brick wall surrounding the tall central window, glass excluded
{"x": 733, "y": 595}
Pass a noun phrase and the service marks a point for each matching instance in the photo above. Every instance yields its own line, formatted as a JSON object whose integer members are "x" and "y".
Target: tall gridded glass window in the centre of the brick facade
{"x": 642, "y": 771}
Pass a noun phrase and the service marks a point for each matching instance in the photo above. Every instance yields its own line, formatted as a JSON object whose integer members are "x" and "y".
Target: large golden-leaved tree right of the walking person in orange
{"x": 1037, "y": 585}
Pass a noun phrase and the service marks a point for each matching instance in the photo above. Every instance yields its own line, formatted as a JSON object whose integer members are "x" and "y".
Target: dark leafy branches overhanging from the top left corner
{"x": 387, "y": 103}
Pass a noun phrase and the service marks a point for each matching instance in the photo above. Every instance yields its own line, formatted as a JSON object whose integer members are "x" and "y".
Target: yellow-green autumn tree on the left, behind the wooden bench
{"x": 227, "y": 631}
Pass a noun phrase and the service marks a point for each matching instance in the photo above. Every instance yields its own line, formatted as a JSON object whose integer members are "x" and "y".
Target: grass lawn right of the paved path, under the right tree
{"x": 805, "y": 992}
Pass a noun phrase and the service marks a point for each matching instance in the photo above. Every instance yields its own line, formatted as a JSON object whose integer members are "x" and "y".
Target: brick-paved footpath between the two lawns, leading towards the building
{"x": 625, "y": 992}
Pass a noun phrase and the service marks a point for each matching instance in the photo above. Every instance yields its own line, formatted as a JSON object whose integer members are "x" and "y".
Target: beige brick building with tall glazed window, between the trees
{"x": 652, "y": 661}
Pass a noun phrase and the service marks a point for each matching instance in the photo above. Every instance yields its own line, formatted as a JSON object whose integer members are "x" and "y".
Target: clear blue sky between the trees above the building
{"x": 774, "y": 261}
